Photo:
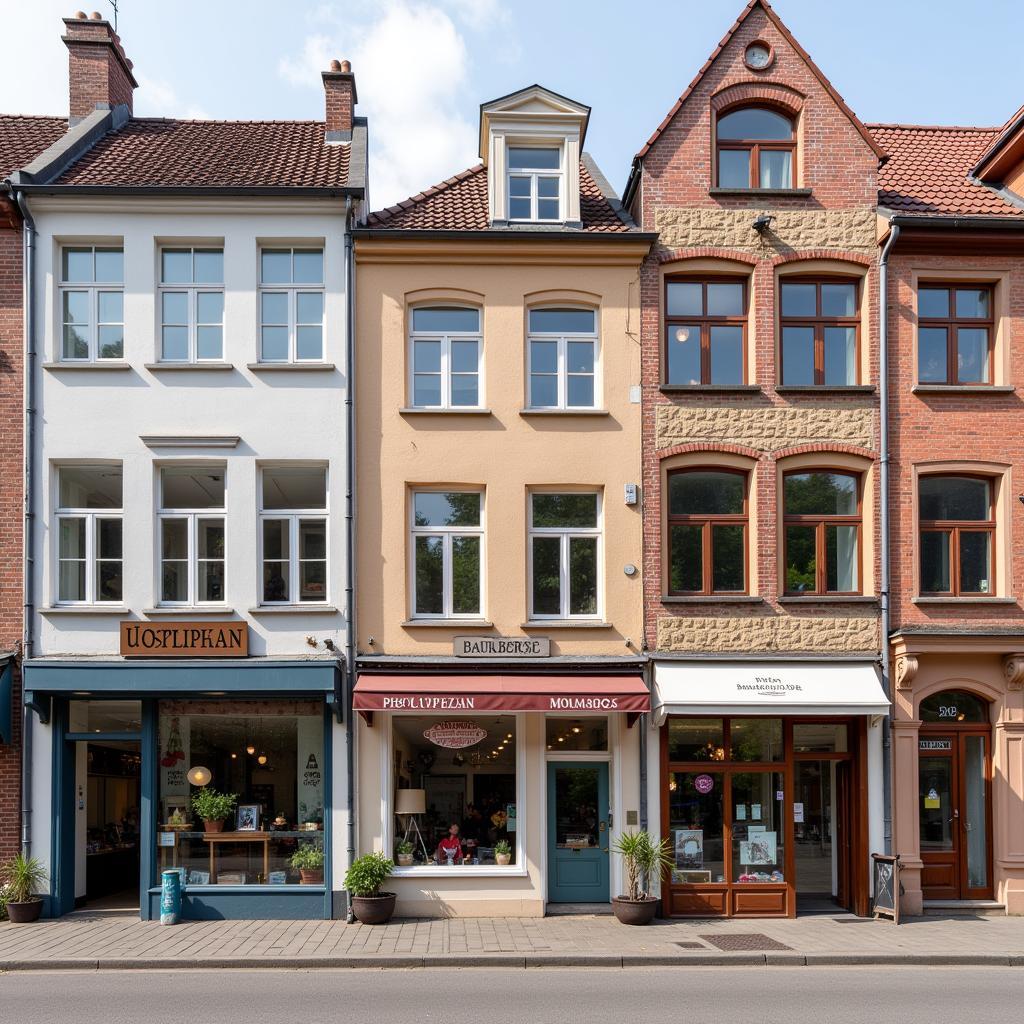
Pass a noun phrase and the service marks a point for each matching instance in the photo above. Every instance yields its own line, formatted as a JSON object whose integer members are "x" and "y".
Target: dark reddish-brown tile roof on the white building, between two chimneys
{"x": 161, "y": 153}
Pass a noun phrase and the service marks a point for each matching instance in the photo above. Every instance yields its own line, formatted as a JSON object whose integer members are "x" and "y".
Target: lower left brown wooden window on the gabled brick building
{"x": 708, "y": 518}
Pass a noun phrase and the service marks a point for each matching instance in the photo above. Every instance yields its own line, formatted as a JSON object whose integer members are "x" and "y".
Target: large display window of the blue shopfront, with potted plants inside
{"x": 267, "y": 759}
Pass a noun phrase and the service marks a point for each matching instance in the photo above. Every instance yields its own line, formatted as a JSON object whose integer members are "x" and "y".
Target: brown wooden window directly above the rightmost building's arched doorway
{"x": 957, "y": 520}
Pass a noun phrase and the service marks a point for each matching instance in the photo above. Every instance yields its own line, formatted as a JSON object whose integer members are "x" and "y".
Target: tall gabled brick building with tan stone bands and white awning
{"x": 761, "y": 482}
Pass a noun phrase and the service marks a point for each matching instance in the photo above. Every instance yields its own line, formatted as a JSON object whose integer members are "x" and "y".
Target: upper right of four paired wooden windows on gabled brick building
{"x": 821, "y": 332}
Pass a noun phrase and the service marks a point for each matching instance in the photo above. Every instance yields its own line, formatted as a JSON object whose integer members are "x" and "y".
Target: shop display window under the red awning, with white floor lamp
{"x": 463, "y": 776}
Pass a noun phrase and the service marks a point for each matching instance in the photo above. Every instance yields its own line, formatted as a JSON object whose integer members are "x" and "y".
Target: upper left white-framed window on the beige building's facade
{"x": 445, "y": 358}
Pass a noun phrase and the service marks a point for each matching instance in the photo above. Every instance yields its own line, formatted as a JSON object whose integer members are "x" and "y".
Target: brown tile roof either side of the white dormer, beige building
{"x": 460, "y": 204}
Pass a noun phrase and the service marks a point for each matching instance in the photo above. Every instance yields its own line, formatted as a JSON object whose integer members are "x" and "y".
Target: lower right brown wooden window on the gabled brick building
{"x": 822, "y": 513}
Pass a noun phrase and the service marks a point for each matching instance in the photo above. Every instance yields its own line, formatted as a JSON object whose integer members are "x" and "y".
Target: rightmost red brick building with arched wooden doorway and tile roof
{"x": 954, "y": 199}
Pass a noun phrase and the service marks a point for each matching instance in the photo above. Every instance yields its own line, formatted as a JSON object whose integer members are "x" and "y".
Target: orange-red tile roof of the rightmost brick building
{"x": 928, "y": 169}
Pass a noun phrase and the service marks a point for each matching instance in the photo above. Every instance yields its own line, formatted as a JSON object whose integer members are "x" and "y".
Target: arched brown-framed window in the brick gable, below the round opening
{"x": 756, "y": 149}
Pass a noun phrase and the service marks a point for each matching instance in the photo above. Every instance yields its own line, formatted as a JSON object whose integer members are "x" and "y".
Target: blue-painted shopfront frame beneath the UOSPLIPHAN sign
{"x": 52, "y": 685}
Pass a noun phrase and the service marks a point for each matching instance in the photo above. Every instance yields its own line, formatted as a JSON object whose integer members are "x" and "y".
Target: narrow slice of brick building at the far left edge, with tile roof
{"x": 22, "y": 140}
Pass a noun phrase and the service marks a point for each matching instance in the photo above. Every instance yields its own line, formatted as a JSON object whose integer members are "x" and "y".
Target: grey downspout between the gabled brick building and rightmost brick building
{"x": 884, "y": 489}
